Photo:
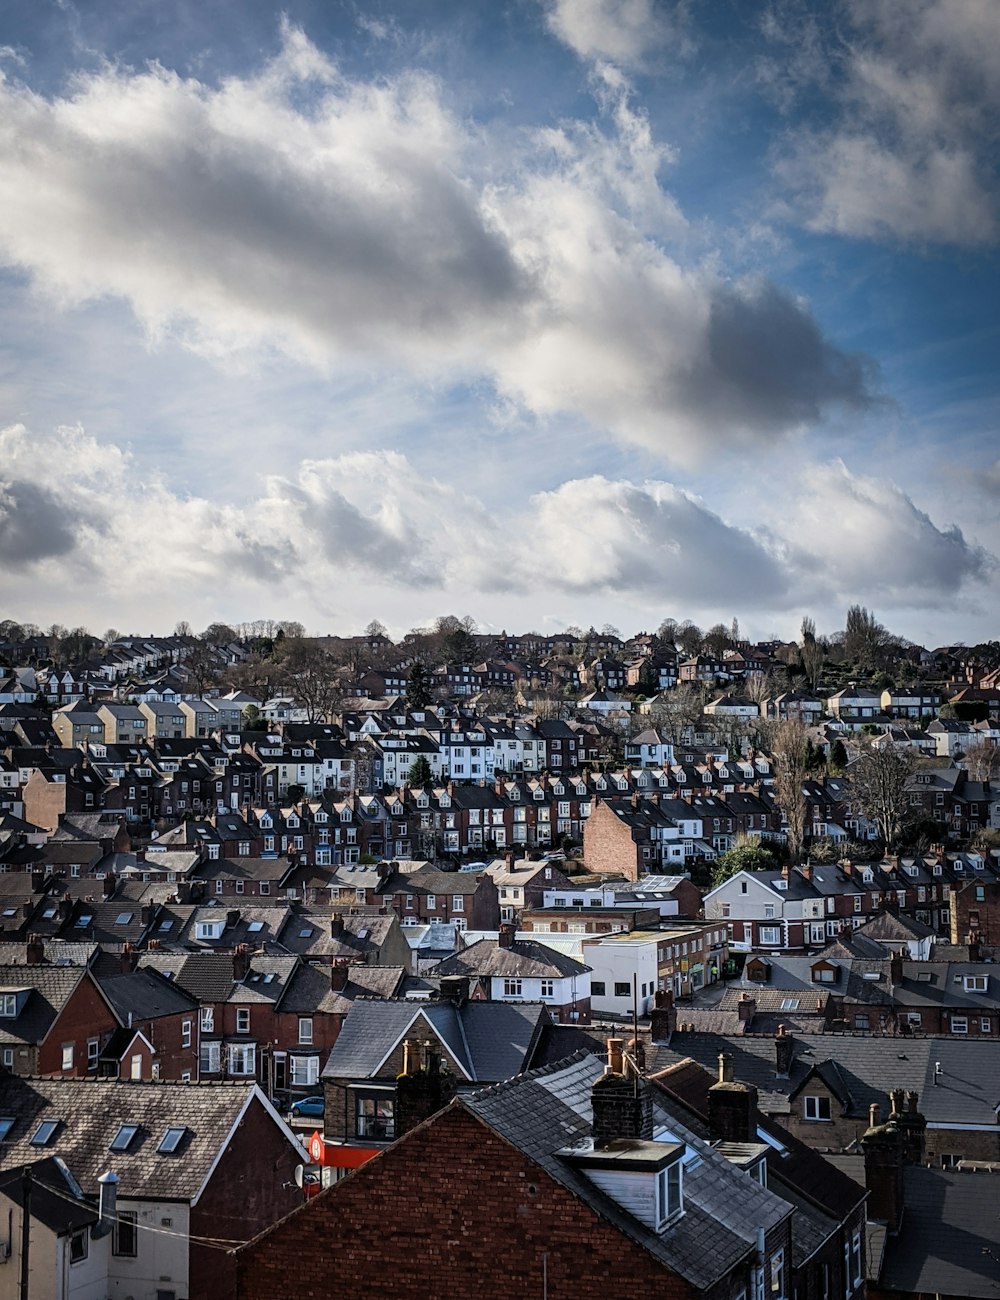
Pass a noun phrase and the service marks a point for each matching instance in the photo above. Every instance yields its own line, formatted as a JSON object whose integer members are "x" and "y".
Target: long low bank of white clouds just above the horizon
{"x": 79, "y": 523}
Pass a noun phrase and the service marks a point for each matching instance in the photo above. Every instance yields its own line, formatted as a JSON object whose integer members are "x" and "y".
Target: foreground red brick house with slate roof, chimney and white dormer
{"x": 575, "y": 1197}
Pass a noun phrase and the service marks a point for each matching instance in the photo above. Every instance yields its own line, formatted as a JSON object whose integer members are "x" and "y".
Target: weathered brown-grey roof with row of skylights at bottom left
{"x": 92, "y": 1113}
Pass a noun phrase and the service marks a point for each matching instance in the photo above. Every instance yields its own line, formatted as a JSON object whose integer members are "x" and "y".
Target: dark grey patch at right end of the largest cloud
{"x": 769, "y": 366}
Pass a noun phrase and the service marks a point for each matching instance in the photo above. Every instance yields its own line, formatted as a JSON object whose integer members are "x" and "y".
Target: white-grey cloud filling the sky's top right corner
{"x": 911, "y": 153}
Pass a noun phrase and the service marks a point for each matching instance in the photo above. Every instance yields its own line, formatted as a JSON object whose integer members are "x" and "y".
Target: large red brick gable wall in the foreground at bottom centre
{"x": 451, "y": 1211}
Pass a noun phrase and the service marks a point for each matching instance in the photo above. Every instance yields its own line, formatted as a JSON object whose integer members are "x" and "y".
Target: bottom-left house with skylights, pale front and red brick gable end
{"x": 194, "y": 1165}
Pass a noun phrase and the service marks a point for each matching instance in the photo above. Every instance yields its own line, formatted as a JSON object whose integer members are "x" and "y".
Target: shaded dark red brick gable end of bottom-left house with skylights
{"x": 252, "y": 1188}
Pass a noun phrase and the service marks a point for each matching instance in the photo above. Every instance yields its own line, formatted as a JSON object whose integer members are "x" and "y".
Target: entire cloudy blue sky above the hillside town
{"x": 538, "y": 311}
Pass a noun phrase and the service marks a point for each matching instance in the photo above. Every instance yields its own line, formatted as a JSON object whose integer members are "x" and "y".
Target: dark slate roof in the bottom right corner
{"x": 949, "y": 1241}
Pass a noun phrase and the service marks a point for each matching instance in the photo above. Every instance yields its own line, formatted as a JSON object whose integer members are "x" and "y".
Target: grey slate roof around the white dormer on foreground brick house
{"x": 548, "y": 1112}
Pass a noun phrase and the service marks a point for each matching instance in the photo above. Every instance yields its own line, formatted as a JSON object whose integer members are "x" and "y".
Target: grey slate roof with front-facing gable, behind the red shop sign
{"x": 490, "y": 1041}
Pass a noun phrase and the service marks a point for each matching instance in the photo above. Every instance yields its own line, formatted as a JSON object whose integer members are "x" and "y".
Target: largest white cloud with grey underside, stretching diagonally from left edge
{"x": 347, "y": 224}
